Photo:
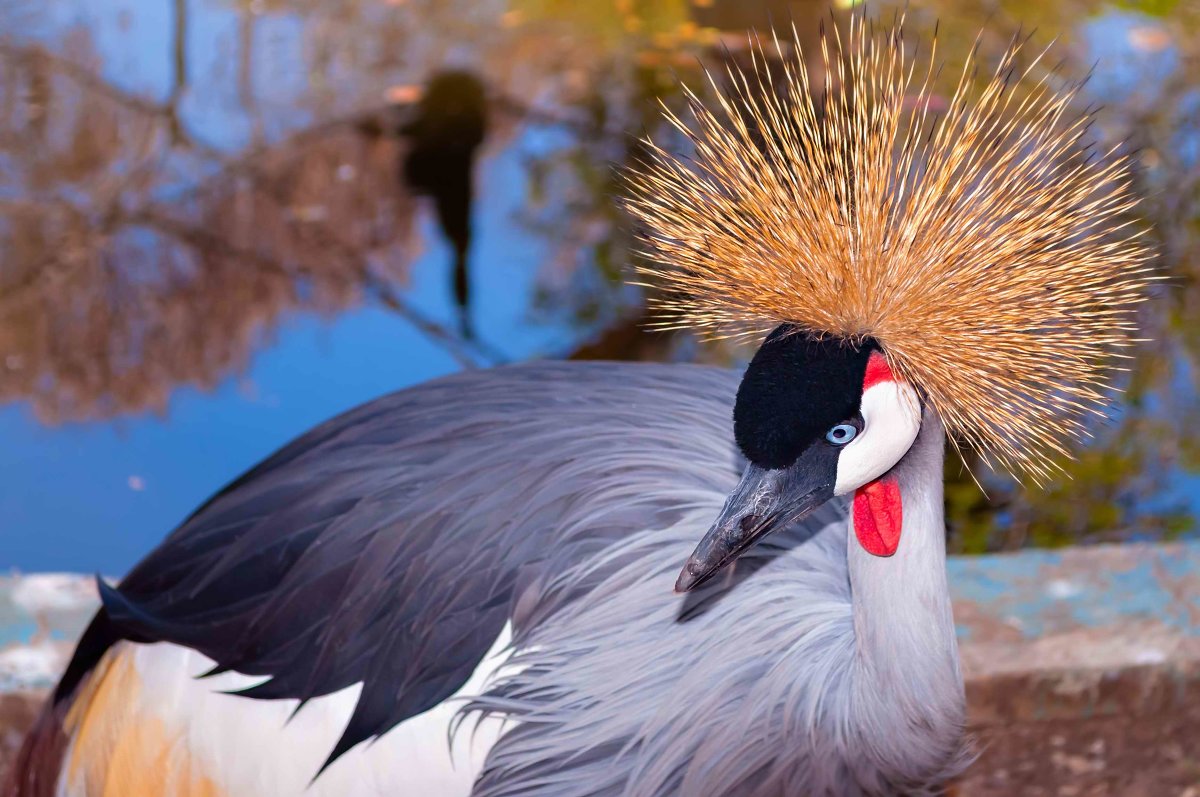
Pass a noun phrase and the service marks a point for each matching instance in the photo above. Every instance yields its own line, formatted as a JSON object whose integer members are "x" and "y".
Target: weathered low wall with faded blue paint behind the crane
{"x": 1083, "y": 666}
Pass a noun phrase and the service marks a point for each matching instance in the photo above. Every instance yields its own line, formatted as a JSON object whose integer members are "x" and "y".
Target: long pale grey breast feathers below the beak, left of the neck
{"x": 731, "y": 692}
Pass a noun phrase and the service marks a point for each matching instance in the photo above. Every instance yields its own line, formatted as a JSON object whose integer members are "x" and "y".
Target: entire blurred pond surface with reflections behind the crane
{"x": 224, "y": 221}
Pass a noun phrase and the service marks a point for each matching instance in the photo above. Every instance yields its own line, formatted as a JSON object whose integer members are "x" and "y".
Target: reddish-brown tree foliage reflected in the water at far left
{"x": 134, "y": 265}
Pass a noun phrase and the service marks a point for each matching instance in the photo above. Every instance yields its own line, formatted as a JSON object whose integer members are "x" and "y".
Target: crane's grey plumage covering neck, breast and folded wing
{"x": 394, "y": 543}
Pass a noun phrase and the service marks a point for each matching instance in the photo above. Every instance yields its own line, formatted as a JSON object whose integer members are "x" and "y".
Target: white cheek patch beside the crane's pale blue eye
{"x": 891, "y": 422}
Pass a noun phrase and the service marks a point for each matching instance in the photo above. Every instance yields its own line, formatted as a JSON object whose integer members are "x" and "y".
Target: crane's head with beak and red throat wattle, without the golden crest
{"x": 815, "y": 418}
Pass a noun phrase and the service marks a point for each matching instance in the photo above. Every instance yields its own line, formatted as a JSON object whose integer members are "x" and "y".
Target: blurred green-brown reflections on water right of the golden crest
{"x": 1137, "y": 477}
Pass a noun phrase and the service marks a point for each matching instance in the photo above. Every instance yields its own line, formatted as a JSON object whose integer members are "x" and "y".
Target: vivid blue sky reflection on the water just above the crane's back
{"x": 98, "y": 496}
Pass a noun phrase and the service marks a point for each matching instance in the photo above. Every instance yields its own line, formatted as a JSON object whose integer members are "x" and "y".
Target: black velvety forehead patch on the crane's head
{"x": 796, "y": 388}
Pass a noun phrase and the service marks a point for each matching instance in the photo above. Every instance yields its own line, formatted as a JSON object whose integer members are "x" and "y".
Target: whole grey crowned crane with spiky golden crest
{"x": 472, "y": 588}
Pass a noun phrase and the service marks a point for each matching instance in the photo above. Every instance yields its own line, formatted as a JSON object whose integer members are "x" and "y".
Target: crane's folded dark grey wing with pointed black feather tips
{"x": 391, "y": 546}
